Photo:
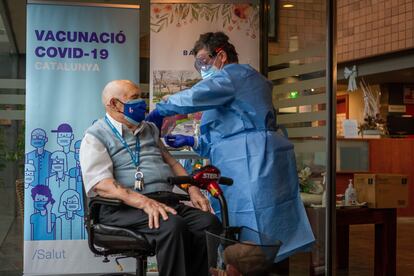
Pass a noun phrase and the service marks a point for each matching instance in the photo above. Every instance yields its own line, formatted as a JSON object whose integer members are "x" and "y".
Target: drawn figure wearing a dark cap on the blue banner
{"x": 64, "y": 139}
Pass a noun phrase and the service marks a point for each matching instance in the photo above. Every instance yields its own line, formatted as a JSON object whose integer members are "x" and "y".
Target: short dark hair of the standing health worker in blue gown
{"x": 214, "y": 42}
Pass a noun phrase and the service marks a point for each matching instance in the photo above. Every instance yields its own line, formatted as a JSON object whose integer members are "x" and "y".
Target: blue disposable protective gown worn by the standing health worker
{"x": 237, "y": 134}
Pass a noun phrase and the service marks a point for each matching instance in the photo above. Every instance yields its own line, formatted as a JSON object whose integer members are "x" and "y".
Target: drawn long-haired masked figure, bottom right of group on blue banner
{"x": 70, "y": 225}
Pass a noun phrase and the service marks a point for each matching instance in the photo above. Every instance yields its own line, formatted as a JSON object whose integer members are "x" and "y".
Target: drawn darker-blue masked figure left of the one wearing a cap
{"x": 40, "y": 157}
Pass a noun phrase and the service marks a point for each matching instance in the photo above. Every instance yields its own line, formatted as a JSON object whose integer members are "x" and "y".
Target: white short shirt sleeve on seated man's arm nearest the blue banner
{"x": 95, "y": 162}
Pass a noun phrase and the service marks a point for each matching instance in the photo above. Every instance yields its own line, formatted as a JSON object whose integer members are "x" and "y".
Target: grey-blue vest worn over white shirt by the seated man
{"x": 151, "y": 164}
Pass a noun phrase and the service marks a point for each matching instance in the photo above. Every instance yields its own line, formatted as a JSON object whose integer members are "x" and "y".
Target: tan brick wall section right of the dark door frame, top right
{"x": 373, "y": 27}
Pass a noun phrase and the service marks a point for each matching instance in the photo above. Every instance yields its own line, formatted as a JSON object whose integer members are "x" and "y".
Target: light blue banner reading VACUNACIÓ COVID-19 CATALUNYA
{"x": 72, "y": 53}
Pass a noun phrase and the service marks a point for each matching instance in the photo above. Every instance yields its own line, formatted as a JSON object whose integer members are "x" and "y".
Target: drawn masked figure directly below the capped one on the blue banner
{"x": 58, "y": 181}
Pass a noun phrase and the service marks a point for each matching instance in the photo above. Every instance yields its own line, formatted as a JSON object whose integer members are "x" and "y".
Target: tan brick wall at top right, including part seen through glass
{"x": 365, "y": 27}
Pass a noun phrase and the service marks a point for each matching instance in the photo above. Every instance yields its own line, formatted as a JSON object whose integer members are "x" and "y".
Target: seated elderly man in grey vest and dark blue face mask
{"x": 122, "y": 158}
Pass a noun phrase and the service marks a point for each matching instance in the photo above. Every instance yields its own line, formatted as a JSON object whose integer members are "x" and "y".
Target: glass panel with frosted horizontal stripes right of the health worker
{"x": 297, "y": 54}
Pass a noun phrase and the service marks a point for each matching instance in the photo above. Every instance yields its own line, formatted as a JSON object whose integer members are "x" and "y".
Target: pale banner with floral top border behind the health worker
{"x": 174, "y": 30}
